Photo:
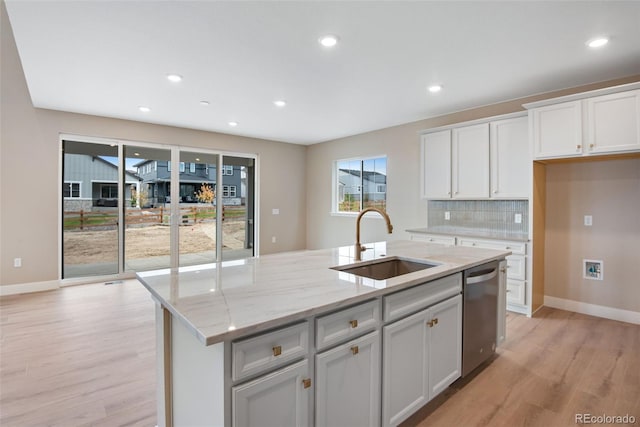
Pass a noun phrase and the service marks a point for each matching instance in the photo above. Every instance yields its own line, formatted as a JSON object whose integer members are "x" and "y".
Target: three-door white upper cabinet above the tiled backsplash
{"x": 477, "y": 161}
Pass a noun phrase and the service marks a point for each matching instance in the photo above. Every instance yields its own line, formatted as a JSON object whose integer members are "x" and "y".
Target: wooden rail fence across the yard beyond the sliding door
{"x": 84, "y": 220}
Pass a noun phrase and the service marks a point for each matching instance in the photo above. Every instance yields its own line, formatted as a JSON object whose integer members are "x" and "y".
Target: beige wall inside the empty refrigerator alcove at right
{"x": 610, "y": 192}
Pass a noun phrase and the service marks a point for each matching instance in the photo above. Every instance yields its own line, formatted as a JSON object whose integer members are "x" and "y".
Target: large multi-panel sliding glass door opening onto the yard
{"x": 137, "y": 207}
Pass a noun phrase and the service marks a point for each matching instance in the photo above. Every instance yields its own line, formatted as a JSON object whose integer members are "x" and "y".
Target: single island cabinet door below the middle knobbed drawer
{"x": 348, "y": 384}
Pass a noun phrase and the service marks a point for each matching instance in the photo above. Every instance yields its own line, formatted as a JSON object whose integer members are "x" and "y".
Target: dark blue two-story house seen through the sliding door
{"x": 156, "y": 181}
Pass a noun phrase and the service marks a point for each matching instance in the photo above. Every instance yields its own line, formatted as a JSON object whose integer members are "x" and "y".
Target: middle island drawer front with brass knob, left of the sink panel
{"x": 346, "y": 324}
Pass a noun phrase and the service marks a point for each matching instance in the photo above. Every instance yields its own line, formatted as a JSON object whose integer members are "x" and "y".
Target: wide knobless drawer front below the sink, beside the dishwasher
{"x": 413, "y": 299}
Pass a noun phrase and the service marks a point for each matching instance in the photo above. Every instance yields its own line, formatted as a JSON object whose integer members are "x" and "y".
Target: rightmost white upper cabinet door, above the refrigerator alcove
{"x": 613, "y": 122}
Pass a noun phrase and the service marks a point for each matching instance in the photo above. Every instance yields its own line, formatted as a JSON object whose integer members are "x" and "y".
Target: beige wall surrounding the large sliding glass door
{"x": 29, "y": 184}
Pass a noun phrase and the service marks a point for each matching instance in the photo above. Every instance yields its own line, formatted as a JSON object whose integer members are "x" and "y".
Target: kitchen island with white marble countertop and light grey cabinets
{"x": 242, "y": 341}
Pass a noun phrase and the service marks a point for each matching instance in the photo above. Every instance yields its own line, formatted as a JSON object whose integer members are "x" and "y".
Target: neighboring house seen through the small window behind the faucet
{"x": 374, "y": 185}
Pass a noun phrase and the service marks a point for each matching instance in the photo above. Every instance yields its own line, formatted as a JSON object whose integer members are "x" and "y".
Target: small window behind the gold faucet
{"x": 360, "y": 184}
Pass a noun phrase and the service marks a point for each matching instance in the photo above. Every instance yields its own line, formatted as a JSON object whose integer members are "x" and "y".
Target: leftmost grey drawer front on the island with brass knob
{"x": 269, "y": 350}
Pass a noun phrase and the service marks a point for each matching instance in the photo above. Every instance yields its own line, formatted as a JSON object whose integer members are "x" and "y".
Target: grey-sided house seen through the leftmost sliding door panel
{"x": 91, "y": 182}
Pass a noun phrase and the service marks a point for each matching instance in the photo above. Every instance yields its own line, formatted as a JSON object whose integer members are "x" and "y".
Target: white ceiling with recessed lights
{"x": 108, "y": 58}
